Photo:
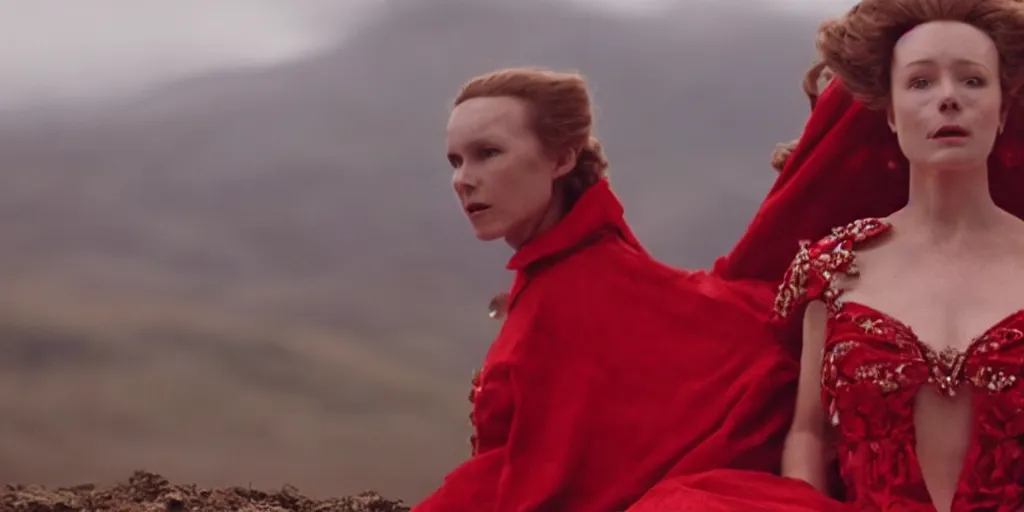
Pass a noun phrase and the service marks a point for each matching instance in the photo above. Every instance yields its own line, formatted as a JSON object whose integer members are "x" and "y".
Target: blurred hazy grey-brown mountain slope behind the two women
{"x": 262, "y": 275}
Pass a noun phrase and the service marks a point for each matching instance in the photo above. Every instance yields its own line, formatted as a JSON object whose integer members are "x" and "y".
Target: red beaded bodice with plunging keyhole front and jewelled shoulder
{"x": 874, "y": 367}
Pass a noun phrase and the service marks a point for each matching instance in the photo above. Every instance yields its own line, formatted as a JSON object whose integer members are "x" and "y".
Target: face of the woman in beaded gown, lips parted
{"x": 947, "y": 98}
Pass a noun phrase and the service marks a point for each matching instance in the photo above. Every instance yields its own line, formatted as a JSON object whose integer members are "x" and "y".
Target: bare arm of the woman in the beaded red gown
{"x": 805, "y": 454}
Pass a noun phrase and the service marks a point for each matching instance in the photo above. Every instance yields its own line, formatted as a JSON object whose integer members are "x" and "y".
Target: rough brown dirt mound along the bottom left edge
{"x": 152, "y": 493}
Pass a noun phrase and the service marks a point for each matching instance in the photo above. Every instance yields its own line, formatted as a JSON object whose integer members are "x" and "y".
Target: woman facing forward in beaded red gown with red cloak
{"x": 911, "y": 167}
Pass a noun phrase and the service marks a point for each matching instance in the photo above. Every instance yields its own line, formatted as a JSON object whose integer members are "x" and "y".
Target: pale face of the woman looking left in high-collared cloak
{"x": 502, "y": 176}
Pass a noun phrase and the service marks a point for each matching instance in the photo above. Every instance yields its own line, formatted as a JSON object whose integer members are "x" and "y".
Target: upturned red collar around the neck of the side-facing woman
{"x": 596, "y": 211}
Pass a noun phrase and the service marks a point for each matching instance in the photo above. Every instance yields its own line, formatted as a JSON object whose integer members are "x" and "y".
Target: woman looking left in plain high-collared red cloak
{"x": 611, "y": 369}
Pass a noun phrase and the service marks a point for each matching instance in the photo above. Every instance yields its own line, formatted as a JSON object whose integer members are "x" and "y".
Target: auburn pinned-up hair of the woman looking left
{"x": 561, "y": 115}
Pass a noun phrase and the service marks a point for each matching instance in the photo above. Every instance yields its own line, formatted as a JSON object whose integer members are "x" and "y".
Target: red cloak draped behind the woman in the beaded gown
{"x": 847, "y": 166}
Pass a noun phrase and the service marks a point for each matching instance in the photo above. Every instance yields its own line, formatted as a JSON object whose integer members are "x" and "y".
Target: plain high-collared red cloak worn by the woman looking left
{"x": 613, "y": 371}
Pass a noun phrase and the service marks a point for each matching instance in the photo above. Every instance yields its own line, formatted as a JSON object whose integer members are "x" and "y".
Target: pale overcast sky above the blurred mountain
{"x": 61, "y": 50}
